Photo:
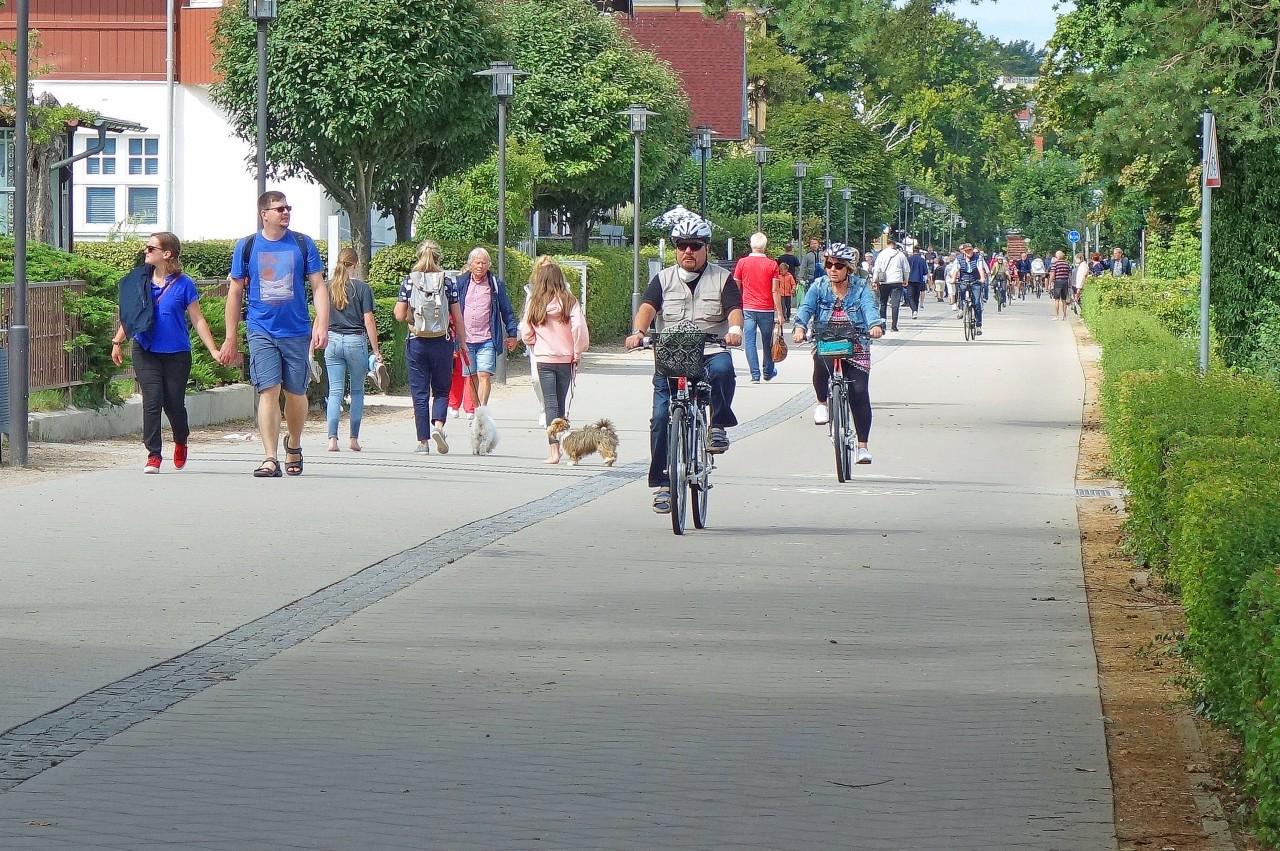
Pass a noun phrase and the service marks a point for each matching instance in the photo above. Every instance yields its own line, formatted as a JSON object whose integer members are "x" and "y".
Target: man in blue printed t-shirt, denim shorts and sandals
{"x": 276, "y": 266}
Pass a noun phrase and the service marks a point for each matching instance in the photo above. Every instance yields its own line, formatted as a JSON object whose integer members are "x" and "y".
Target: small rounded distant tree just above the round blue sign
{"x": 1045, "y": 198}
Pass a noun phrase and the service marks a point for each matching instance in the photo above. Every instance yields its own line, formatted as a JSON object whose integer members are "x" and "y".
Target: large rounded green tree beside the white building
{"x": 359, "y": 89}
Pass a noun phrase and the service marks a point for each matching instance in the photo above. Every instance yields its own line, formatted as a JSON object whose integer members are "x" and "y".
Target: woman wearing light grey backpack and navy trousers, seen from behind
{"x": 428, "y": 301}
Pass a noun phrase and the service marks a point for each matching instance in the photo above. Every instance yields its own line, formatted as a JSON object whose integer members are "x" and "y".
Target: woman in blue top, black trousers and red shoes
{"x": 162, "y": 355}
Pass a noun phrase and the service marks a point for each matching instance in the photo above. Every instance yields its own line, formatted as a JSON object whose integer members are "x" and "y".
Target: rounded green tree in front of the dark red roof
{"x": 583, "y": 71}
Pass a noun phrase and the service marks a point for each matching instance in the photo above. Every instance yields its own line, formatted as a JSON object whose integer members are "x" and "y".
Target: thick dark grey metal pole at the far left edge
{"x": 20, "y": 335}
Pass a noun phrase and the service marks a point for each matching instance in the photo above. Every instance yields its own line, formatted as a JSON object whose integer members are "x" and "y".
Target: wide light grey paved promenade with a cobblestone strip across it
{"x": 408, "y": 652}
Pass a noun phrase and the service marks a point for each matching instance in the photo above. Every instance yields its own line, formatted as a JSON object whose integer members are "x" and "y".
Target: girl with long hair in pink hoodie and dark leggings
{"x": 555, "y": 328}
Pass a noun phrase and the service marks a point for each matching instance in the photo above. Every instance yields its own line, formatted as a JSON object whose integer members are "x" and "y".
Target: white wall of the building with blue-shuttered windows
{"x": 216, "y": 189}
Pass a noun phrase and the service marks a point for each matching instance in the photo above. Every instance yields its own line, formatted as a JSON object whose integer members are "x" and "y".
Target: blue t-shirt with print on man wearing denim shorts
{"x": 277, "y": 283}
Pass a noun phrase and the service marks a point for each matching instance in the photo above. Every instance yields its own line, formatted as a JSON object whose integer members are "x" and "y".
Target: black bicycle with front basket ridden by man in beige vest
{"x": 679, "y": 358}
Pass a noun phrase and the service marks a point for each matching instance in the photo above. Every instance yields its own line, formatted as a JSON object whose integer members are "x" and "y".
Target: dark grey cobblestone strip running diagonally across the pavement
{"x": 43, "y": 743}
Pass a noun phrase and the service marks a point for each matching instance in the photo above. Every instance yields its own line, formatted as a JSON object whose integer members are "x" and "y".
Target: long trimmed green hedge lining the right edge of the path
{"x": 1199, "y": 455}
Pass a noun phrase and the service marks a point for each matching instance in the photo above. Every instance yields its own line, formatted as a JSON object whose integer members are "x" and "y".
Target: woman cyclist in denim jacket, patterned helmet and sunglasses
{"x": 839, "y": 296}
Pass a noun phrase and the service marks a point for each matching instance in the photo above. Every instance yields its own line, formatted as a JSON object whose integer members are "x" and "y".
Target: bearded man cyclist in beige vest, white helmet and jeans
{"x": 706, "y": 294}
